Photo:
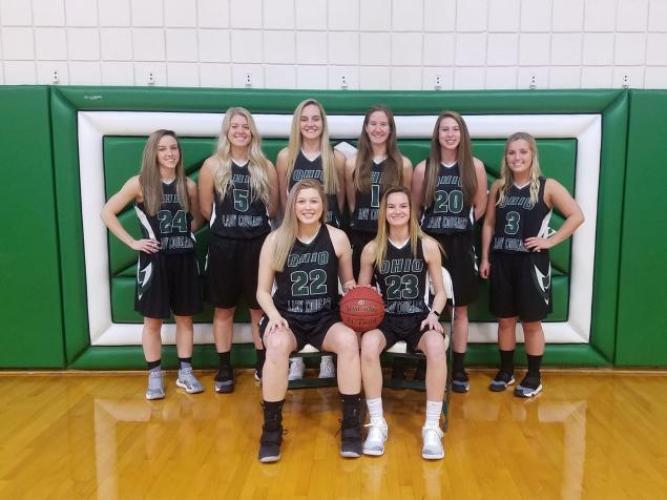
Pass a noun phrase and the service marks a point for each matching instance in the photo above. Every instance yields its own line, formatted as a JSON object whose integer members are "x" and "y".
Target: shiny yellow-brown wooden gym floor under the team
{"x": 597, "y": 434}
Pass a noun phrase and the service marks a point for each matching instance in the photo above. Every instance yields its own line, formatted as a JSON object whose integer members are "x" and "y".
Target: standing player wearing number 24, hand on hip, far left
{"x": 167, "y": 270}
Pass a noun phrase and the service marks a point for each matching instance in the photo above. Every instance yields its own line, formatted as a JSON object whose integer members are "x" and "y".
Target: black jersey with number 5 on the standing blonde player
{"x": 238, "y": 215}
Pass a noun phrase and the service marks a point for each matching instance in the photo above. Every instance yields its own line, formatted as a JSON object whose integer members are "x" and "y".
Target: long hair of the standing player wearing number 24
{"x": 149, "y": 174}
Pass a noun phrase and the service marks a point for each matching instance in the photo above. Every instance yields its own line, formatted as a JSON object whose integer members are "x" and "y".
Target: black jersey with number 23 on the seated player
{"x": 402, "y": 280}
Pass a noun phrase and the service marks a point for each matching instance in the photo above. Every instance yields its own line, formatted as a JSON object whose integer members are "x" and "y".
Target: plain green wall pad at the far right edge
{"x": 642, "y": 324}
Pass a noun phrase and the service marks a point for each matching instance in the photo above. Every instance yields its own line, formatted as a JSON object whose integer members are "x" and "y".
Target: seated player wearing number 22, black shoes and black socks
{"x": 305, "y": 258}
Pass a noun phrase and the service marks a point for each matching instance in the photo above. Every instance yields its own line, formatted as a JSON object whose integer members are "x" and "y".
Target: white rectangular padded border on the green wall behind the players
{"x": 93, "y": 126}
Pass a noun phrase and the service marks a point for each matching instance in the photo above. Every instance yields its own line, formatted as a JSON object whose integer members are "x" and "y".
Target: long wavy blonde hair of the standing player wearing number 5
{"x": 257, "y": 161}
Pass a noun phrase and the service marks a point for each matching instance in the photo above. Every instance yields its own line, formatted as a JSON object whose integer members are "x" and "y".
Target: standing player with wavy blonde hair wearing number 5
{"x": 237, "y": 197}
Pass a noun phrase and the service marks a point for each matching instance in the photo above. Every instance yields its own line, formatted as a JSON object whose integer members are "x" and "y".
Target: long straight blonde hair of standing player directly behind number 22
{"x": 330, "y": 179}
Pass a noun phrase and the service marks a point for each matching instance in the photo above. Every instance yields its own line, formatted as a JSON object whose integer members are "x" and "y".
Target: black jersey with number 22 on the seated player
{"x": 308, "y": 284}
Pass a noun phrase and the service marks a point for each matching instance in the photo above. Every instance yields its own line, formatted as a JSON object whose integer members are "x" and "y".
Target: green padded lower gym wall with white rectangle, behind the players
{"x": 46, "y": 266}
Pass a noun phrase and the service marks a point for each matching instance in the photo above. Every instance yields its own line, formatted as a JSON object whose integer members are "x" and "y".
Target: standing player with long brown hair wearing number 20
{"x": 450, "y": 187}
